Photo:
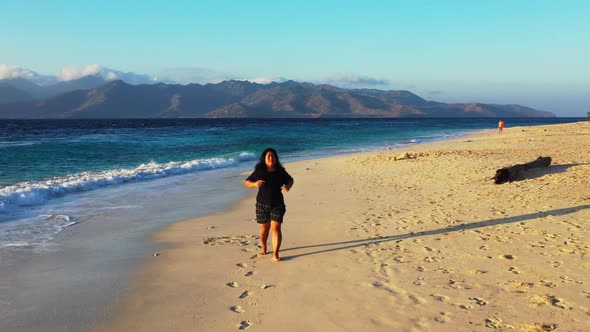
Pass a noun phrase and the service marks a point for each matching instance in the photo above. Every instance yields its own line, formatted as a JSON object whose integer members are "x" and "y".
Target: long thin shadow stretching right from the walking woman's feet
{"x": 480, "y": 224}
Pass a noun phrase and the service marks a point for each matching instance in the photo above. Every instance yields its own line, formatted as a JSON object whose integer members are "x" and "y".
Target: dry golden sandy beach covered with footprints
{"x": 414, "y": 239}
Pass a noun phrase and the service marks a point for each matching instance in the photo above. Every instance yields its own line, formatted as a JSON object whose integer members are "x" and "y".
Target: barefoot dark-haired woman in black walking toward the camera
{"x": 270, "y": 177}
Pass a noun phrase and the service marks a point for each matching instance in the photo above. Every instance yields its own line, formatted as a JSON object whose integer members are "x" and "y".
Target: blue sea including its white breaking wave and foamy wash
{"x": 47, "y": 165}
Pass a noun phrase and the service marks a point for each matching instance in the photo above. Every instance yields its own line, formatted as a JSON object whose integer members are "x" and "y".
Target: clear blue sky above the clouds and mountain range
{"x": 533, "y": 53}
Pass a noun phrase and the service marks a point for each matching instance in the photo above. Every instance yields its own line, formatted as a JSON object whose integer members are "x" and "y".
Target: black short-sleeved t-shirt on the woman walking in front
{"x": 270, "y": 192}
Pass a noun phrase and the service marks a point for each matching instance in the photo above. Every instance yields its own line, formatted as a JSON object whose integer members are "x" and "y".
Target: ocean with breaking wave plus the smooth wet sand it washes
{"x": 79, "y": 198}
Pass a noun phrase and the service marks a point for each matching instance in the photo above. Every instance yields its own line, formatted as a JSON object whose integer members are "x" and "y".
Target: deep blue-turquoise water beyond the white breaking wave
{"x": 33, "y": 150}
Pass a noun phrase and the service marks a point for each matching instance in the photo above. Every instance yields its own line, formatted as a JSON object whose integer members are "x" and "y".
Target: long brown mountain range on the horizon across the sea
{"x": 93, "y": 97}
